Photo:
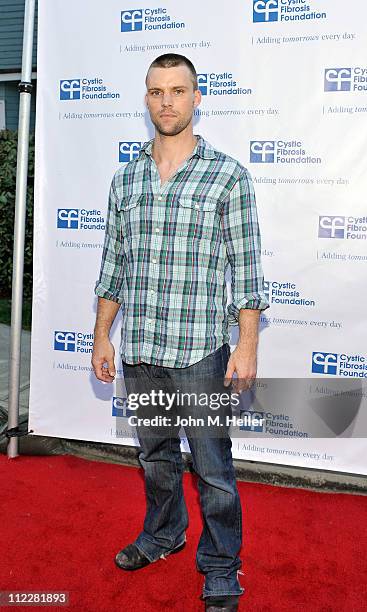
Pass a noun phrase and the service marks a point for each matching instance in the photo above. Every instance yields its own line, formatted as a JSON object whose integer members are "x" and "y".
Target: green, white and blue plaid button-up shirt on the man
{"x": 166, "y": 252}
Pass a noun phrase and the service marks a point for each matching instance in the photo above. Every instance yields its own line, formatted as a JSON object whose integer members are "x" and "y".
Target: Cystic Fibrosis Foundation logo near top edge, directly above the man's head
{"x": 145, "y": 19}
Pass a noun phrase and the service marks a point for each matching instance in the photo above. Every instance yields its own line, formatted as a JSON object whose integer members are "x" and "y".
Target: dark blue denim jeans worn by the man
{"x": 160, "y": 456}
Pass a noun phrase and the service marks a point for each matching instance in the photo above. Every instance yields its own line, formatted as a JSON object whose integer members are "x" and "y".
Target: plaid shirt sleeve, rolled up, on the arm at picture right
{"x": 241, "y": 235}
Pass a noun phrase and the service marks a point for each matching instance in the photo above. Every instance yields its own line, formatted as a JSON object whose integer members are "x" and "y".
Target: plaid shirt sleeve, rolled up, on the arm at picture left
{"x": 109, "y": 284}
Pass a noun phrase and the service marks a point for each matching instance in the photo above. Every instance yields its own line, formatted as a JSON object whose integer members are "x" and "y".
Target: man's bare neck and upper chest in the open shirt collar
{"x": 173, "y": 150}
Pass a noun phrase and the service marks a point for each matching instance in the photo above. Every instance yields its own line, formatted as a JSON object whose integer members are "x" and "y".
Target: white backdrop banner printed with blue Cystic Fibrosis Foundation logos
{"x": 284, "y": 86}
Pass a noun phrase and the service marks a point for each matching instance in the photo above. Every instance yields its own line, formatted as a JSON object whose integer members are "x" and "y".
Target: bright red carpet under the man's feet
{"x": 63, "y": 519}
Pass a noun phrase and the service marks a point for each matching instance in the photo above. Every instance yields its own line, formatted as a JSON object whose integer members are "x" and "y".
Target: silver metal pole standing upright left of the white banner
{"x": 25, "y": 88}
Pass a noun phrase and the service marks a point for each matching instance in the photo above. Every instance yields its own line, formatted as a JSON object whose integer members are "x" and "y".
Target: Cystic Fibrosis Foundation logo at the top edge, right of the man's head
{"x": 266, "y": 11}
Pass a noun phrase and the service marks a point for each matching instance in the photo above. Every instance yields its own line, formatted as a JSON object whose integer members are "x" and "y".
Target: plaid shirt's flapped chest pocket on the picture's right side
{"x": 197, "y": 217}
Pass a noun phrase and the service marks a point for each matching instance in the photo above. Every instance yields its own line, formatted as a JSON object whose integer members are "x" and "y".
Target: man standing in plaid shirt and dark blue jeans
{"x": 178, "y": 215}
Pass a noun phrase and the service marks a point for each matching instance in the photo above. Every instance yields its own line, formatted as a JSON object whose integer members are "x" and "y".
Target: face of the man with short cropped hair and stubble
{"x": 171, "y": 99}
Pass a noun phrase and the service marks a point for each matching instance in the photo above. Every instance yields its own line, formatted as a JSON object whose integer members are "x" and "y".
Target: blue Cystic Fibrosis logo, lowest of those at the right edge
{"x": 343, "y": 364}
